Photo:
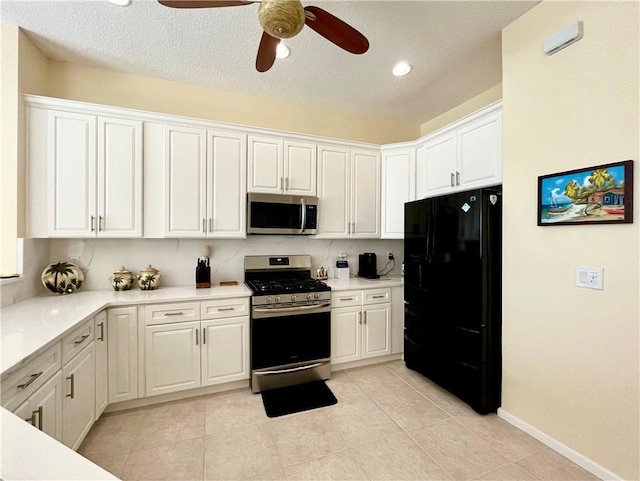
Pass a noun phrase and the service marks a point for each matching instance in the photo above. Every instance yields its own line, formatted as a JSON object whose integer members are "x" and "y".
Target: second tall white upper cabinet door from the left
{"x": 119, "y": 178}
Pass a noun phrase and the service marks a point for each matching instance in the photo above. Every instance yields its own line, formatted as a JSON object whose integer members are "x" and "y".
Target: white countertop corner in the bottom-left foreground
{"x": 30, "y": 454}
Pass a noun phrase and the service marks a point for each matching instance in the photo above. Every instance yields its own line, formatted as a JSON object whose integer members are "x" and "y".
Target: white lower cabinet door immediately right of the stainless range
{"x": 346, "y": 333}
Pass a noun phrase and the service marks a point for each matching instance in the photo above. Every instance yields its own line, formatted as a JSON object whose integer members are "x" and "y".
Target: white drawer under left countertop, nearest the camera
{"x": 22, "y": 383}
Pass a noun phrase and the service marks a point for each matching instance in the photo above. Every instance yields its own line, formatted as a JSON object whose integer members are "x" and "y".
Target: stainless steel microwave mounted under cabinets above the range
{"x": 282, "y": 214}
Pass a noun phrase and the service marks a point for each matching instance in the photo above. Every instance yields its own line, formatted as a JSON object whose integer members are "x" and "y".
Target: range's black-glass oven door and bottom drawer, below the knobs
{"x": 290, "y": 345}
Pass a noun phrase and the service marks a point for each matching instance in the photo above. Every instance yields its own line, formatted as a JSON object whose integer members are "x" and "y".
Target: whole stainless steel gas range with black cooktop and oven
{"x": 290, "y": 322}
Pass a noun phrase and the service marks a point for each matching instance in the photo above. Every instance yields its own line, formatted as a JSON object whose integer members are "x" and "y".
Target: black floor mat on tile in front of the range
{"x": 293, "y": 399}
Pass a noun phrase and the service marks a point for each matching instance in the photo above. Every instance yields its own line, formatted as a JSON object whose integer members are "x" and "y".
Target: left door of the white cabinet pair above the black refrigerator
{"x": 440, "y": 164}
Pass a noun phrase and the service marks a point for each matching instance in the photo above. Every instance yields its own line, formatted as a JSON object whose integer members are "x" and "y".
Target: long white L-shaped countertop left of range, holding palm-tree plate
{"x": 30, "y": 326}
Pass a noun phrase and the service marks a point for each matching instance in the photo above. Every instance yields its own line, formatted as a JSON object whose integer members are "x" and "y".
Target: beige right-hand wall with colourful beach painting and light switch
{"x": 571, "y": 355}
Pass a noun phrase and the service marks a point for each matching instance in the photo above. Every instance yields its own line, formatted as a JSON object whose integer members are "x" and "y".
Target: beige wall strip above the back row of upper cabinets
{"x": 96, "y": 85}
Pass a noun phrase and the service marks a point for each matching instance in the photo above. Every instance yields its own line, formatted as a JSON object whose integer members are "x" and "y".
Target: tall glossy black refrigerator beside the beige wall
{"x": 453, "y": 293}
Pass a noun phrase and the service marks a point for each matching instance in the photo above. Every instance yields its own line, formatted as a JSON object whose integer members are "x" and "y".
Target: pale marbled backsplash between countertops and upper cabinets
{"x": 176, "y": 259}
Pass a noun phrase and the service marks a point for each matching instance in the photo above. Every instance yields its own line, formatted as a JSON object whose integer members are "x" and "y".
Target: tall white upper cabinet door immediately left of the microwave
{"x": 227, "y": 180}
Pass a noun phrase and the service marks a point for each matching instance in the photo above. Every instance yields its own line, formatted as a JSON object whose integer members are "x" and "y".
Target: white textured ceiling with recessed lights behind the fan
{"x": 454, "y": 47}
